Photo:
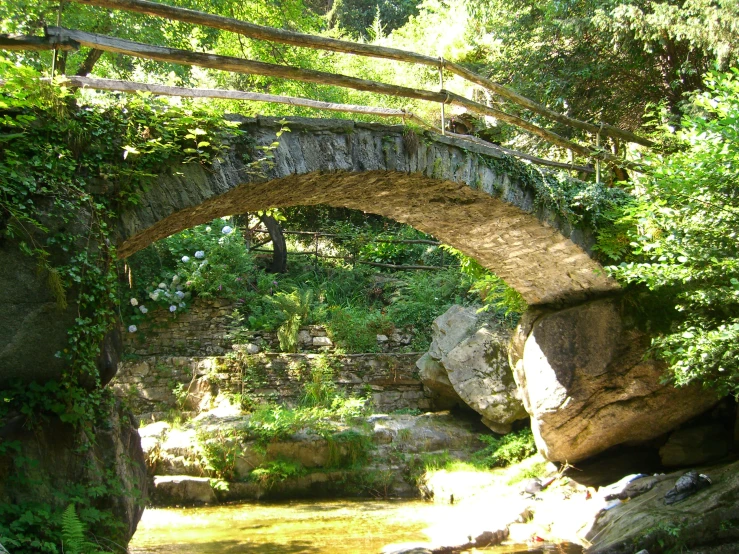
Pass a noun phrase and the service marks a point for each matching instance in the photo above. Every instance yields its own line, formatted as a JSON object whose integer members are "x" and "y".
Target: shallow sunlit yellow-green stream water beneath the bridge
{"x": 296, "y": 527}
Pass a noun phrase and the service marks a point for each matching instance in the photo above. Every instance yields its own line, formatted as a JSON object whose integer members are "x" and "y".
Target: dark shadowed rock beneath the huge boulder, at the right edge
{"x": 695, "y": 445}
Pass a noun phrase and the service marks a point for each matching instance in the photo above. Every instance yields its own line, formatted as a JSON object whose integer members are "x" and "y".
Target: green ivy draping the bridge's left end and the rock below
{"x": 69, "y": 163}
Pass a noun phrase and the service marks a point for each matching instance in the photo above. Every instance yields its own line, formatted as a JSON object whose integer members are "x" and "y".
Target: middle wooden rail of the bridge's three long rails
{"x": 238, "y": 65}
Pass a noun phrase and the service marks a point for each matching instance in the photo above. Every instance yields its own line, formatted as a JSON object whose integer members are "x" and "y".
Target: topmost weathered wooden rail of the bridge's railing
{"x": 260, "y": 32}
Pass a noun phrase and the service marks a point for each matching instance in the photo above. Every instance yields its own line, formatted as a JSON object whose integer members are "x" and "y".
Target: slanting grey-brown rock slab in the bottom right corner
{"x": 697, "y": 524}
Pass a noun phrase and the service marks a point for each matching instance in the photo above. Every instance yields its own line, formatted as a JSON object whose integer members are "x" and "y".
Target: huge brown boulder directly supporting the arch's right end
{"x": 587, "y": 386}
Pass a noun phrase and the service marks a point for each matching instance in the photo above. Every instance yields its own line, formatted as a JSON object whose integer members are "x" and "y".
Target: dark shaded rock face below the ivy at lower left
{"x": 60, "y": 458}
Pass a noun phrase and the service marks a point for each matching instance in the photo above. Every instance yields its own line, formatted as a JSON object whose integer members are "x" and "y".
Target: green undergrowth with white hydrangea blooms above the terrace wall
{"x": 355, "y": 303}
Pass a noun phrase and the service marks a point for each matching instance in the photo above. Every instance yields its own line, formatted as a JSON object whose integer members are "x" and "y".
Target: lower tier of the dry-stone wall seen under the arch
{"x": 149, "y": 384}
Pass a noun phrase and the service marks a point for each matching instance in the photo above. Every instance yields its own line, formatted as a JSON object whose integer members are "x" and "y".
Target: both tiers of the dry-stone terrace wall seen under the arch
{"x": 178, "y": 362}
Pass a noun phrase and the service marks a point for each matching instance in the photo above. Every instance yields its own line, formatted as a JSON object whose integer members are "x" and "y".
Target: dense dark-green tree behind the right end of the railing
{"x": 604, "y": 59}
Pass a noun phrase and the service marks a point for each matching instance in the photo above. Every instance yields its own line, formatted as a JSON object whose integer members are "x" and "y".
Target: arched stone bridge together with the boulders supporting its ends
{"x": 578, "y": 362}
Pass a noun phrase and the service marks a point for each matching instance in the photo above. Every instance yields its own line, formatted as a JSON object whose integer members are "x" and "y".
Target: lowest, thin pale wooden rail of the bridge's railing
{"x": 165, "y": 90}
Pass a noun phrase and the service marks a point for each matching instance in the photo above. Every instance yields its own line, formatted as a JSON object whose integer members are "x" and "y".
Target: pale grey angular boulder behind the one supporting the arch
{"x": 467, "y": 363}
